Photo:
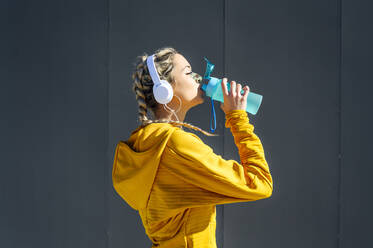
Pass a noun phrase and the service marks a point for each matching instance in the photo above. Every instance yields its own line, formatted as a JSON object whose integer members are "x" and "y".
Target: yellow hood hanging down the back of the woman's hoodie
{"x": 136, "y": 162}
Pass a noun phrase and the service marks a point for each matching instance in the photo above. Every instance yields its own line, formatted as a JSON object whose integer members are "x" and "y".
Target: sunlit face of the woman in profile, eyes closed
{"x": 185, "y": 85}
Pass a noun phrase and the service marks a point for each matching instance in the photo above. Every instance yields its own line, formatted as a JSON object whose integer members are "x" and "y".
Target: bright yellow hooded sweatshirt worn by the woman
{"x": 174, "y": 180}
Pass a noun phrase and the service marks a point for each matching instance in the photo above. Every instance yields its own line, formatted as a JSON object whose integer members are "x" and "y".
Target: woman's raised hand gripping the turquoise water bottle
{"x": 233, "y": 100}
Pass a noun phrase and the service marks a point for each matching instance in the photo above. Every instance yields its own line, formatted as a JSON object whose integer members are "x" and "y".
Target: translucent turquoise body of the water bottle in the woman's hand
{"x": 213, "y": 89}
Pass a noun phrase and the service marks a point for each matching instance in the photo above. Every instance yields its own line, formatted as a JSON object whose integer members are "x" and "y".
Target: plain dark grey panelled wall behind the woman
{"x": 66, "y": 100}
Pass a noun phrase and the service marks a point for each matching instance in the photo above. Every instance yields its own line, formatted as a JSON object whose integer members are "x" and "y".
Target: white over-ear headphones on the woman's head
{"x": 162, "y": 90}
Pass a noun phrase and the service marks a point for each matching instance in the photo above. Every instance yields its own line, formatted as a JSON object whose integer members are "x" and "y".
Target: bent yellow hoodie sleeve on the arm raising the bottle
{"x": 213, "y": 179}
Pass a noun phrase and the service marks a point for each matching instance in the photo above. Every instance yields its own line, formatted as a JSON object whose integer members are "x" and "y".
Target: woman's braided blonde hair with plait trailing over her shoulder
{"x": 143, "y": 86}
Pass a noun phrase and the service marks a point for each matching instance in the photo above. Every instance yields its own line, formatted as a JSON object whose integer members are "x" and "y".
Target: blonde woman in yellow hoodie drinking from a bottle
{"x": 170, "y": 176}
